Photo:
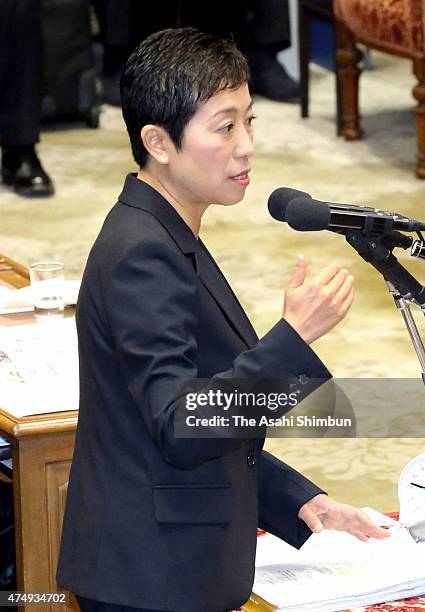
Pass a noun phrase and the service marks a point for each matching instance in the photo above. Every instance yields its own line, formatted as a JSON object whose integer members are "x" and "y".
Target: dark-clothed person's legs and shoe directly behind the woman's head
{"x": 260, "y": 28}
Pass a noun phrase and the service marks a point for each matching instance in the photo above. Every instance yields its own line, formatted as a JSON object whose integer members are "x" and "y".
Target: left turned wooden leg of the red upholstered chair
{"x": 348, "y": 73}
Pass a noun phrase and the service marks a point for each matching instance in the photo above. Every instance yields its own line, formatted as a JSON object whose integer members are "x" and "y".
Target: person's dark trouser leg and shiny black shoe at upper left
{"x": 21, "y": 54}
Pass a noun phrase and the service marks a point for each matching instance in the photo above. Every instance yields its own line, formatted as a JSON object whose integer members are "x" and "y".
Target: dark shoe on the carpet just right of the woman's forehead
{"x": 270, "y": 79}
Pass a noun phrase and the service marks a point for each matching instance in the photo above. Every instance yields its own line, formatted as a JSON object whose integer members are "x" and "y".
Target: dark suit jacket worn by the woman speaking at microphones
{"x": 153, "y": 521}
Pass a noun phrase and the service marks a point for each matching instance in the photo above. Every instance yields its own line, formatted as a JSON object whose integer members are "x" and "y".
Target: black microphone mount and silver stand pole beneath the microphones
{"x": 403, "y": 287}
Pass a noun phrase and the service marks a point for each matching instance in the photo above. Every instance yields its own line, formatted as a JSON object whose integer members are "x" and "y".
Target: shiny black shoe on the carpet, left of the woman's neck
{"x": 22, "y": 169}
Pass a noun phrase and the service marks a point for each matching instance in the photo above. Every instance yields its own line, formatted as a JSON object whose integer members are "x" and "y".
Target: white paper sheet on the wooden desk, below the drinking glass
{"x": 39, "y": 367}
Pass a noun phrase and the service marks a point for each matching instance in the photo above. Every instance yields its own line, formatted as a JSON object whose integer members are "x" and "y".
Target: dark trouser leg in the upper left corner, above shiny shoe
{"x": 20, "y": 71}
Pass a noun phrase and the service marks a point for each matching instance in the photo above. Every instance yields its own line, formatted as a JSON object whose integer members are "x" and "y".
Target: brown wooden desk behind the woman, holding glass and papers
{"x": 42, "y": 448}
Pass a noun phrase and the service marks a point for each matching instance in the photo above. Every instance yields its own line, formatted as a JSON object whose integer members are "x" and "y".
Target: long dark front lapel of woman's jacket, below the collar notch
{"x": 217, "y": 285}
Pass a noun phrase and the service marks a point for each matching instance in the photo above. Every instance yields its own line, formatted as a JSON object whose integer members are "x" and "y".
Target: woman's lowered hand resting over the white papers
{"x": 322, "y": 512}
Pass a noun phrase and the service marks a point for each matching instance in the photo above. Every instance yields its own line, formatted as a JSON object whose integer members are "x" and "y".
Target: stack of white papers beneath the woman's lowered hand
{"x": 335, "y": 571}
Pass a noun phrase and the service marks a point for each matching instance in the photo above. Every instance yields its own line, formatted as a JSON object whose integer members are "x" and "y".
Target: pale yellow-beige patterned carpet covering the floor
{"x": 257, "y": 253}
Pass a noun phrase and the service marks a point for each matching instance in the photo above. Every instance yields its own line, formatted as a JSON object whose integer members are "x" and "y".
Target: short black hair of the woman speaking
{"x": 169, "y": 75}
